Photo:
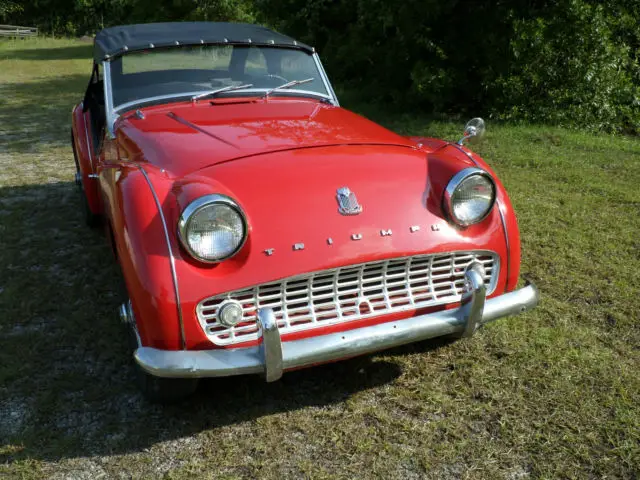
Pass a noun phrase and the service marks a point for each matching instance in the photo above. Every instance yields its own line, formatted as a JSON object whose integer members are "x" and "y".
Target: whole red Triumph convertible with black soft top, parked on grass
{"x": 260, "y": 227}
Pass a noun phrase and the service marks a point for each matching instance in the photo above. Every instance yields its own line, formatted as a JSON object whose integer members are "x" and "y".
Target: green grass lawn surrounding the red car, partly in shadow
{"x": 554, "y": 393}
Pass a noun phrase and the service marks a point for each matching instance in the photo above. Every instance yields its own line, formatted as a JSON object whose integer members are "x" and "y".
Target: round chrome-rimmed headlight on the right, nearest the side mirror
{"x": 469, "y": 196}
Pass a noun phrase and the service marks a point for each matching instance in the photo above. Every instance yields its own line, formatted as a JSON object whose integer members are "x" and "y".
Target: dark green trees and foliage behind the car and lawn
{"x": 570, "y": 62}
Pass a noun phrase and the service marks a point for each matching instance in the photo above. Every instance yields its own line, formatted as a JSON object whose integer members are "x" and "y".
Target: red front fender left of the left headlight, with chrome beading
{"x": 145, "y": 257}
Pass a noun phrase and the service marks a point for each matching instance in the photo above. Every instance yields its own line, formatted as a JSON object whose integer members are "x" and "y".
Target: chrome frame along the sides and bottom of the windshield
{"x": 113, "y": 112}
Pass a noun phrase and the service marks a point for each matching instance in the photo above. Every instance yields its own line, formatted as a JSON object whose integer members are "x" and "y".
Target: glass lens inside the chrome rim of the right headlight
{"x": 472, "y": 199}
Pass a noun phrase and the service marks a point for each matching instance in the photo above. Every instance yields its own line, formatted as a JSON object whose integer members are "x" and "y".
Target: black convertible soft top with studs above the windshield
{"x": 115, "y": 41}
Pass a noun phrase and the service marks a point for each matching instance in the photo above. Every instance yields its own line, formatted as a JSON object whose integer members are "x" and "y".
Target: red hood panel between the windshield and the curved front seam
{"x": 186, "y": 137}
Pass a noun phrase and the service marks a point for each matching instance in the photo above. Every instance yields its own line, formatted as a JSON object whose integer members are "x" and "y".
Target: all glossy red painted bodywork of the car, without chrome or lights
{"x": 282, "y": 160}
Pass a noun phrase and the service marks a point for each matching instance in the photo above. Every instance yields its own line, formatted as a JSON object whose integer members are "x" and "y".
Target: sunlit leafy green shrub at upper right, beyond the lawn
{"x": 583, "y": 75}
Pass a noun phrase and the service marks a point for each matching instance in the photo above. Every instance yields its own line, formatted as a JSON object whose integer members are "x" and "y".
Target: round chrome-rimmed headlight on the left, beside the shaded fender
{"x": 212, "y": 228}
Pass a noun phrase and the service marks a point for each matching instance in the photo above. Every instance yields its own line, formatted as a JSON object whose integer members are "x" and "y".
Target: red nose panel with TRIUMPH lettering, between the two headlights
{"x": 290, "y": 202}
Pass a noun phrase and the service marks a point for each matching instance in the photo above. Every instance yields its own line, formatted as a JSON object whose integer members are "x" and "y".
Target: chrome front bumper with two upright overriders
{"x": 272, "y": 357}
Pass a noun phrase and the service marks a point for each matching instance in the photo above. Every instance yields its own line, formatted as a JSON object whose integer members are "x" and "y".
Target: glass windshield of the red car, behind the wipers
{"x": 189, "y": 71}
